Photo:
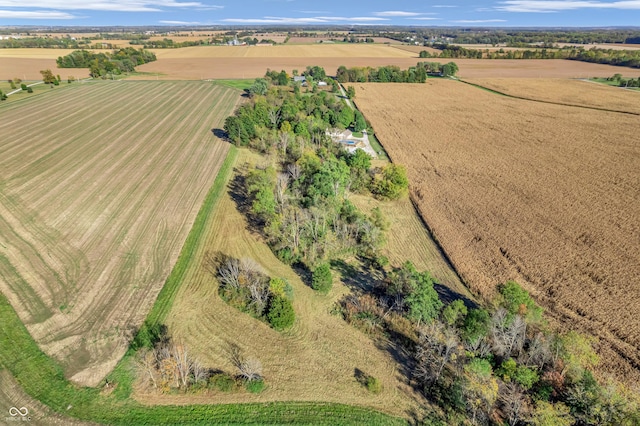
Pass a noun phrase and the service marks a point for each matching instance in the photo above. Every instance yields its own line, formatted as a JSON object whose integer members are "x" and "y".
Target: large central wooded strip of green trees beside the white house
{"x": 301, "y": 205}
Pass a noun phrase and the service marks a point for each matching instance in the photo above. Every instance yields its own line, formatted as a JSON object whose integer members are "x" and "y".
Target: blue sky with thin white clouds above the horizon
{"x": 466, "y": 13}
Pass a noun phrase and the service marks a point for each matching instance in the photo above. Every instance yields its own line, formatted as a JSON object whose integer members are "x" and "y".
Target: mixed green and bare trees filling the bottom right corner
{"x": 498, "y": 366}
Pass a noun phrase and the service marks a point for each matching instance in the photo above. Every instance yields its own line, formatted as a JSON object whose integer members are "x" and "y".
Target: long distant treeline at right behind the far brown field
{"x": 627, "y": 58}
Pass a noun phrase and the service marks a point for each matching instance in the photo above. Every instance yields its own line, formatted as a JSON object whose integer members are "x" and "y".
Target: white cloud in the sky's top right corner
{"x": 542, "y": 6}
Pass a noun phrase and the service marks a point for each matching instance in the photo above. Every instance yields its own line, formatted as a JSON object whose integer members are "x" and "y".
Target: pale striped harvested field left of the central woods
{"x": 99, "y": 186}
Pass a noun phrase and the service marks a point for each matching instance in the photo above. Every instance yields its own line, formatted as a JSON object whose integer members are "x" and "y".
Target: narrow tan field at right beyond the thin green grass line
{"x": 568, "y": 92}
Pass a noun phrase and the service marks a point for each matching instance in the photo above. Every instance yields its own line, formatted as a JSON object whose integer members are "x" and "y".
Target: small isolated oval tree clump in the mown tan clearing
{"x": 245, "y": 286}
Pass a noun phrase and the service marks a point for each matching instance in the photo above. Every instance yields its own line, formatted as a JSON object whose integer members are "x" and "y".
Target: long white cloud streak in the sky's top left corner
{"x": 103, "y": 5}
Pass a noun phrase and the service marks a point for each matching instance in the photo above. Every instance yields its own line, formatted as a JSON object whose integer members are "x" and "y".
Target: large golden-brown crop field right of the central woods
{"x": 544, "y": 194}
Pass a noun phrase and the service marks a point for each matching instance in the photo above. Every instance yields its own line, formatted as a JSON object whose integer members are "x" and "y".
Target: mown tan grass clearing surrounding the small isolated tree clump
{"x": 314, "y": 361}
